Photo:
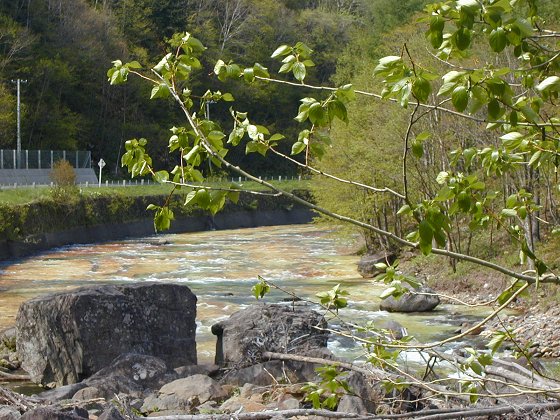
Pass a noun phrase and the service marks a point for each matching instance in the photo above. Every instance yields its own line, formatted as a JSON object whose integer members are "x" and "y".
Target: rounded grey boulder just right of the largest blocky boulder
{"x": 277, "y": 328}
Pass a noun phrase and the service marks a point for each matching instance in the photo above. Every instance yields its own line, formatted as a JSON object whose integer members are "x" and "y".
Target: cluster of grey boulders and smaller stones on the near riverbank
{"x": 105, "y": 351}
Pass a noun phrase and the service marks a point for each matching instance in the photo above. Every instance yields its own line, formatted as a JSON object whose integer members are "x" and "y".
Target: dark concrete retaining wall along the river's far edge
{"x": 110, "y": 232}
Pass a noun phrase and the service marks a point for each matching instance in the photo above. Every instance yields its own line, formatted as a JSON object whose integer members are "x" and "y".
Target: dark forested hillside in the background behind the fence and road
{"x": 63, "y": 48}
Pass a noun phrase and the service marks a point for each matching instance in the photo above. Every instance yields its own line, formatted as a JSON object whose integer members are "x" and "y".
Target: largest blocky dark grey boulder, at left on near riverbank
{"x": 66, "y": 337}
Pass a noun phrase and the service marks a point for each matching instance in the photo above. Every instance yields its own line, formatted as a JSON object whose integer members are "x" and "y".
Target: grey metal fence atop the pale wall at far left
{"x": 42, "y": 159}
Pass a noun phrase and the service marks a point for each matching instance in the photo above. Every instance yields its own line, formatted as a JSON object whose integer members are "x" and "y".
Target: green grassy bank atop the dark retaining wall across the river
{"x": 34, "y": 211}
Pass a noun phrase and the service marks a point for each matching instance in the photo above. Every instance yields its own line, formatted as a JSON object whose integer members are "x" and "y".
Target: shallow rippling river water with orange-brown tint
{"x": 220, "y": 267}
